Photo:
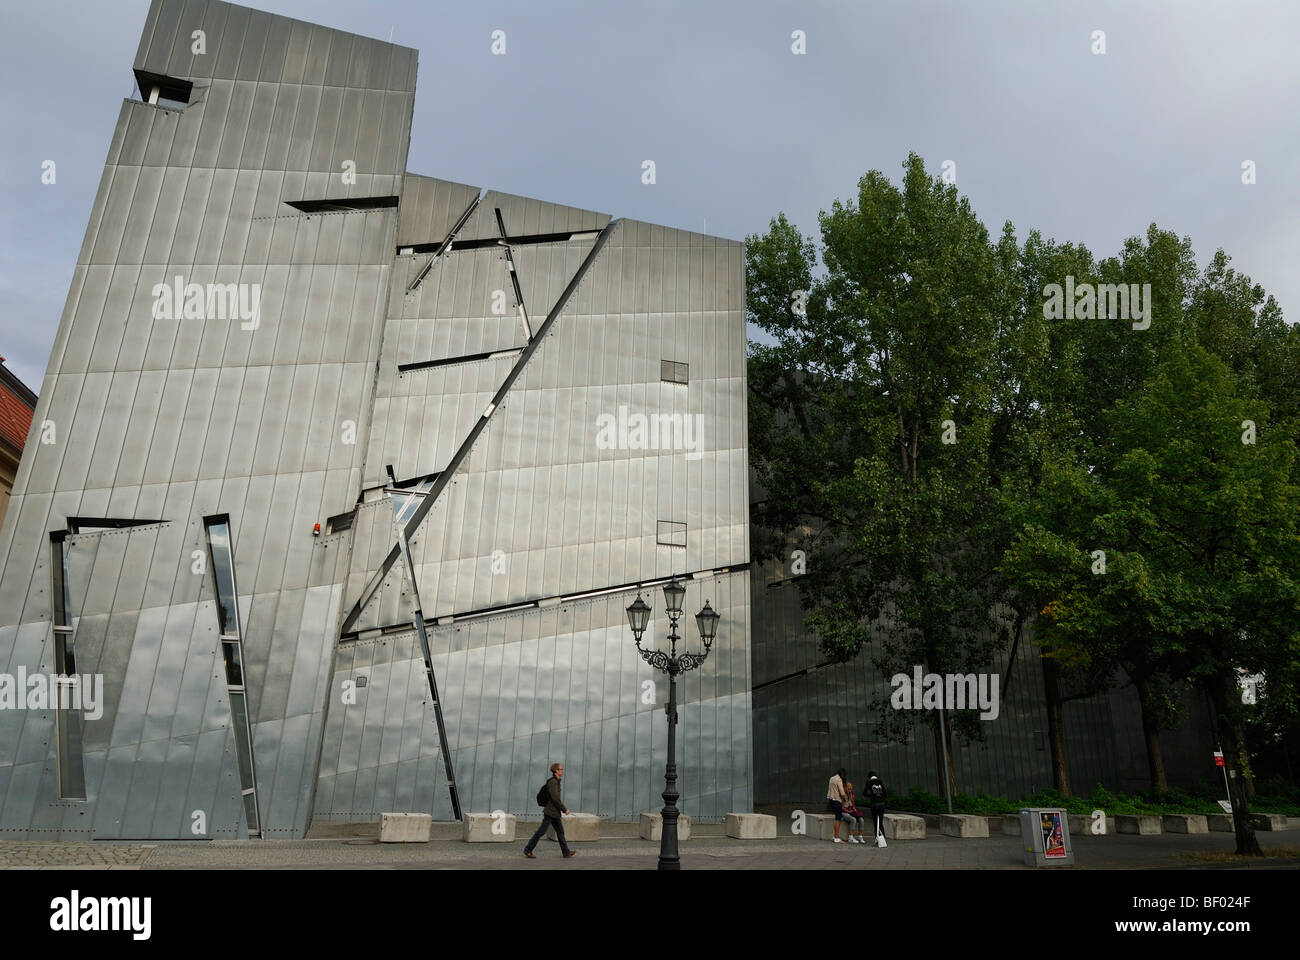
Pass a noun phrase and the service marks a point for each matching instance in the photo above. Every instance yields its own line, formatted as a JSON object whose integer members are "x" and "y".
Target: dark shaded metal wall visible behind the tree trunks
{"x": 795, "y": 686}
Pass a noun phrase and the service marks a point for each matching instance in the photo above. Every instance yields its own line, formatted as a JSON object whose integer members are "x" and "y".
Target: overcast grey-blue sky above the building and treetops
{"x": 1045, "y": 133}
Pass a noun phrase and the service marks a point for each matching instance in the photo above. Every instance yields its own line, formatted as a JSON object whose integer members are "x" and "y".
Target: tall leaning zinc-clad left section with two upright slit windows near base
{"x": 176, "y": 420}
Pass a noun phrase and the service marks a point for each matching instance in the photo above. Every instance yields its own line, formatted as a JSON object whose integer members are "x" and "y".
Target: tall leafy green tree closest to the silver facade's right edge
{"x": 878, "y": 414}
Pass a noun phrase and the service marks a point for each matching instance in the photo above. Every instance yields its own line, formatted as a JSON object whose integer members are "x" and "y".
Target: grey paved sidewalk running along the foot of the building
{"x": 1168, "y": 851}
